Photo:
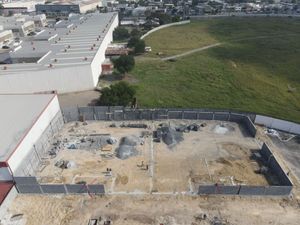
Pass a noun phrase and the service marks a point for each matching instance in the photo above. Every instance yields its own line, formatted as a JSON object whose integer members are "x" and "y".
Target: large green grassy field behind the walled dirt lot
{"x": 256, "y": 68}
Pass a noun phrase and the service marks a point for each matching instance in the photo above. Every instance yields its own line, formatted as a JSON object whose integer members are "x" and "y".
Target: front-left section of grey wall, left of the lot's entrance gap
{"x": 30, "y": 185}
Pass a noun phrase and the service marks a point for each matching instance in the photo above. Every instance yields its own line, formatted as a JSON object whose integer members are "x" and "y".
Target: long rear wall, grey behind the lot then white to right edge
{"x": 123, "y": 113}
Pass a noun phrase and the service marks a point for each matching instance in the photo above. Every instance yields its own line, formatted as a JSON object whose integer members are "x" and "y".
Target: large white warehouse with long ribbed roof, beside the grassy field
{"x": 64, "y": 56}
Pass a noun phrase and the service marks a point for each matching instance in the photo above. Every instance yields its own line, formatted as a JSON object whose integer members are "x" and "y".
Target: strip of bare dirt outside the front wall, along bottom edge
{"x": 154, "y": 209}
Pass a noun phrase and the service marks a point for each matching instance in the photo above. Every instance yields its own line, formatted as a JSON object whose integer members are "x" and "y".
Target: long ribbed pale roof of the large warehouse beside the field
{"x": 68, "y": 43}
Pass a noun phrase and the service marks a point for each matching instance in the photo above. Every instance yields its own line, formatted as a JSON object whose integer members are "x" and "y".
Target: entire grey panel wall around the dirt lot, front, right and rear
{"x": 30, "y": 184}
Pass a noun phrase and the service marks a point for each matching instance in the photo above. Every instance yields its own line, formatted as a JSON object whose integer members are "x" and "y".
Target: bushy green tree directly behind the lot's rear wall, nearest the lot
{"x": 119, "y": 94}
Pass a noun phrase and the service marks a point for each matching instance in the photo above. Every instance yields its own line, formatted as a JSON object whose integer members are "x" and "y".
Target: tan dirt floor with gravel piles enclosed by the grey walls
{"x": 126, "y": 158}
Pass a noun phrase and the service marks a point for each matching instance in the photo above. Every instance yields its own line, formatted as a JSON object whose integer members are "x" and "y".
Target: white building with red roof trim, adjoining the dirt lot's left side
{"x": 24, "y": 136}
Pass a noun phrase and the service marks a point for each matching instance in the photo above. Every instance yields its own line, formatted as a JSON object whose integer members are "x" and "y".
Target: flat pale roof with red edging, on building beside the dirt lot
{"x": 17, "y": 115}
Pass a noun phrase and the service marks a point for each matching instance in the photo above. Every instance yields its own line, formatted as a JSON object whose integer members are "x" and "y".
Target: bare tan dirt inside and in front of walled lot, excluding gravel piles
{"x": 160, "y": 194}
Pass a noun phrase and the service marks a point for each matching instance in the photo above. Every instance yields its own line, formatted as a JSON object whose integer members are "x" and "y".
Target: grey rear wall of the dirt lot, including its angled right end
{"x": 121, "y": 113}
